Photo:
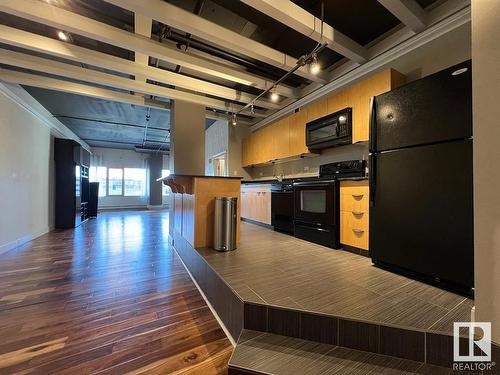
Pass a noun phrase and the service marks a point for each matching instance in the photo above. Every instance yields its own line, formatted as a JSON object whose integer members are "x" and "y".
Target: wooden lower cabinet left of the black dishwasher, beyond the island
{"x": 256, "y": 203}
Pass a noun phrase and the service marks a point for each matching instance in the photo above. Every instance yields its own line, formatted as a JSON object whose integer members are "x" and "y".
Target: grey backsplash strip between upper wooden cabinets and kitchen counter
{"x": 310, "y": 166}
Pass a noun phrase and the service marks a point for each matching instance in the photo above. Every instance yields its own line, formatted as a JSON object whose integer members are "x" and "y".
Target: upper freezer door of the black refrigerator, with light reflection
{"x": 432, "y": 109}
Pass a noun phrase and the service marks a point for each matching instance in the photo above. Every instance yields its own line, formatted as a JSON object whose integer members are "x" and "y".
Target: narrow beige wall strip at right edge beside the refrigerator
{"x": 486, "y": 112}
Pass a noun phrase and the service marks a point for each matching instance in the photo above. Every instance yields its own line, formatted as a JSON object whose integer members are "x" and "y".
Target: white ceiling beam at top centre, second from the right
{"x": 304, "y": 22}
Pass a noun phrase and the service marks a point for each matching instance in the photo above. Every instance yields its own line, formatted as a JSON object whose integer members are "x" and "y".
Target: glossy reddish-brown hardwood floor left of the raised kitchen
{"x": 109, "y": 297}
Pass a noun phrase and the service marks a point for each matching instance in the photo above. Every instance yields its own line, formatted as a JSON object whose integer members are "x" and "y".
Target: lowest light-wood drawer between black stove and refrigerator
{"x": 354, "y": 229}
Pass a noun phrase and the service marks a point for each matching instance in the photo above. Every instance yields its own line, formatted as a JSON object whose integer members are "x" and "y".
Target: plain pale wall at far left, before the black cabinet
{"x": 26, "y": 175}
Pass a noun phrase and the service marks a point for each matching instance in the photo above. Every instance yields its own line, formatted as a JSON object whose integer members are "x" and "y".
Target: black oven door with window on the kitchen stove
{"x": 315, "y": 202}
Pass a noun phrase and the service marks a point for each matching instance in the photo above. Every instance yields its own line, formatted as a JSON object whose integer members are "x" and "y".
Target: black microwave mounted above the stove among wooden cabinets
{"x": 332, "y": 130}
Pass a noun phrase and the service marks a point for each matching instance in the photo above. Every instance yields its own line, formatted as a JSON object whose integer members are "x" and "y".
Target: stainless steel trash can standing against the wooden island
{"x": 225, "y": 220}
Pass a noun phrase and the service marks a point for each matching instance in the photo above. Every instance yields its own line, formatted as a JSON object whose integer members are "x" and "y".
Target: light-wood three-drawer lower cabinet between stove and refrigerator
{"x": 354, "y": 211}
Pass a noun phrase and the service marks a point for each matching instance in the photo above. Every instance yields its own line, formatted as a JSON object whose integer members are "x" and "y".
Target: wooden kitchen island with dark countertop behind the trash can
{"x": 192, "y": 205}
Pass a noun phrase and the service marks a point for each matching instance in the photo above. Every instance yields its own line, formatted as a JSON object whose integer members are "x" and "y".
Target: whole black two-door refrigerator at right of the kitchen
{"x": 421, "y": 203}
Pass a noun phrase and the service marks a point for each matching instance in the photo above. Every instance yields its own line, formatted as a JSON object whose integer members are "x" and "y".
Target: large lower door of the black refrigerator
{"x": 421, "y": 211}
